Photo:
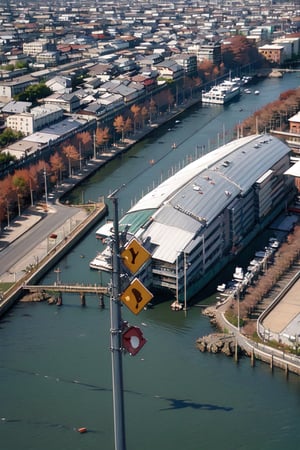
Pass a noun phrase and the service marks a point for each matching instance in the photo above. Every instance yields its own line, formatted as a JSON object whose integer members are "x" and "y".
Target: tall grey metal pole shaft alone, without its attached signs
{"x": 116, "y": 335}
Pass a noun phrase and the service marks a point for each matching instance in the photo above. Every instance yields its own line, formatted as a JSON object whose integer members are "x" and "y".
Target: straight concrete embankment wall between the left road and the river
{"x": 38, "y": 271}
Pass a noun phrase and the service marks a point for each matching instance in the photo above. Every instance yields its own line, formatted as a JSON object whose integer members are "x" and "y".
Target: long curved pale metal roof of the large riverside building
{"x": 197, "y": 194}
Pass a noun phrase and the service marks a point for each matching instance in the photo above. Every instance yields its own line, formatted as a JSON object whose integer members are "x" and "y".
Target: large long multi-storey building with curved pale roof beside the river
{"x": 196, "y": 221}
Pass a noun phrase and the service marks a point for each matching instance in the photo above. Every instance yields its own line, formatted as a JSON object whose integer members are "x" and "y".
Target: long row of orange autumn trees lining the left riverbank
{"x": 19, "y": 189}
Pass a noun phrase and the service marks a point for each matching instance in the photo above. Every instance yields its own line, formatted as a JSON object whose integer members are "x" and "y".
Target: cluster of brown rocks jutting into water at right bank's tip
{"x": 217, "y": 343}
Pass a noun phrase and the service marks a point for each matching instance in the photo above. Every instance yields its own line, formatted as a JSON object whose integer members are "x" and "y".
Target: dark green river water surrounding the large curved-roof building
{"x": 55, "y": 373}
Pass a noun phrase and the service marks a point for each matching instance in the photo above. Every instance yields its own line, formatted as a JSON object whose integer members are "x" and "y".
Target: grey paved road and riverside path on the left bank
{"x": 27, "y": 240}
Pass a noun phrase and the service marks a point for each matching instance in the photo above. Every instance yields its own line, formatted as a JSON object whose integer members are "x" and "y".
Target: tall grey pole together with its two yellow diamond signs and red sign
{"x": 122, "y": 336}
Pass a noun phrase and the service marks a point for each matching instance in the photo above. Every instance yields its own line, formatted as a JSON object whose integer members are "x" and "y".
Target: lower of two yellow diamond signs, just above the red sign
{"x": 136, "y": 296}
